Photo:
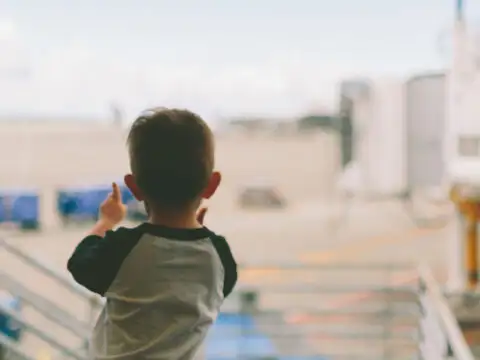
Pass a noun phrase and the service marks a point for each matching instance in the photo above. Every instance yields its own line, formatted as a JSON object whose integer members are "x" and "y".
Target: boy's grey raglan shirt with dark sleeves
{"x": 163, "y": 289}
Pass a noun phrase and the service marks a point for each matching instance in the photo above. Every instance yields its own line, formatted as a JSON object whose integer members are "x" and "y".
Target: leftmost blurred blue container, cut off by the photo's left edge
{"x": 20, "y": 206}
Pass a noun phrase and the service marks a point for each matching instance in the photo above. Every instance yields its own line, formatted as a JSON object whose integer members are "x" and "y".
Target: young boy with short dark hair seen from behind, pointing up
{"x": 163, "y": 281}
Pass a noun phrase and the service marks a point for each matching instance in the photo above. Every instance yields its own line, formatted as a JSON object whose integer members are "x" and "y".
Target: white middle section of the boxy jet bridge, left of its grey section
{"x": 379, "y": 144}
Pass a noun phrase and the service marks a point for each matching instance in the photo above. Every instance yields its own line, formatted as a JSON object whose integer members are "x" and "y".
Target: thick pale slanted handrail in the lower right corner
{"x": 455, "y": 338}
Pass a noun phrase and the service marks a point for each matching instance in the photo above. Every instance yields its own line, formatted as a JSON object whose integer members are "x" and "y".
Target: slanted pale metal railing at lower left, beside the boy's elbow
{"x": 49, "y": 330}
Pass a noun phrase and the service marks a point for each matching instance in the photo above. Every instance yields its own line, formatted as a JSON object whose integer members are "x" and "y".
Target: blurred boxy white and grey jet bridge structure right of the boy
{"x": 392, "y": 134}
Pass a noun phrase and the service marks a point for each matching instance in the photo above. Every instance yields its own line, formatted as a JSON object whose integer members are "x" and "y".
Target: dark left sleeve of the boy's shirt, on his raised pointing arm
{"x": 96, "y": 260}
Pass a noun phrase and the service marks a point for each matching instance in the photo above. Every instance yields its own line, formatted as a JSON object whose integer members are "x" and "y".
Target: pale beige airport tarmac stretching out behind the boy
{"x": 319, "y": 254}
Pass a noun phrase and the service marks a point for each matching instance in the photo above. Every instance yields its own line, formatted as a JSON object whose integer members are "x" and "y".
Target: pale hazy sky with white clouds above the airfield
{"x": 279, "y": 58}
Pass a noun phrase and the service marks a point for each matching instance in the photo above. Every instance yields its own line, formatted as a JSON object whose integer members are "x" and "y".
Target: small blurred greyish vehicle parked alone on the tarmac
{"x": 261, "y": 195}
